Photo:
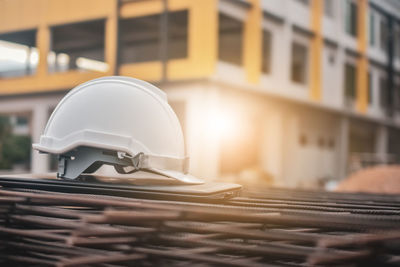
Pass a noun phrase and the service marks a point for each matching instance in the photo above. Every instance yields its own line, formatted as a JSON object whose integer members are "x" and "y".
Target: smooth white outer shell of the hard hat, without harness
{"x": 116, "y": 113}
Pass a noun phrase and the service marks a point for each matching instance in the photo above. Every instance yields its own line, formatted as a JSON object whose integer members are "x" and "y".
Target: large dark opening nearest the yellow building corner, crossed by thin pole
{"x": 141, "y": 37}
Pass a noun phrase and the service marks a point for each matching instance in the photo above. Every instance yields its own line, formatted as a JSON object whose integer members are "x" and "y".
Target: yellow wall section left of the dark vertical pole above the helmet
{"x": 42, "y": 14}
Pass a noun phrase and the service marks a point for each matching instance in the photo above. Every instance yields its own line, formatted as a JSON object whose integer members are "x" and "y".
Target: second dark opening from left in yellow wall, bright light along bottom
{"x": 77, "y": 46}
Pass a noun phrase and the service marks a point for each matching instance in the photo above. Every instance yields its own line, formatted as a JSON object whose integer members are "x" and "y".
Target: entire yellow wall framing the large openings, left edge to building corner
{"x": 42, "y": 14}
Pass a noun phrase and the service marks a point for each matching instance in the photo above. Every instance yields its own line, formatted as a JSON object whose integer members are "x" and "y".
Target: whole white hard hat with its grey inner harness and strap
{"x": 118, "y": 121}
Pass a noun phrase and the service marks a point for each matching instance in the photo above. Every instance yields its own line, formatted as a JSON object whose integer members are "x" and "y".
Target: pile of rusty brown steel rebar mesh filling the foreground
{"x": 273, "y": 227}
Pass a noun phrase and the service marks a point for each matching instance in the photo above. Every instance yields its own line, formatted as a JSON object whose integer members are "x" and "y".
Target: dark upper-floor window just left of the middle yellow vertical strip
{"x": 299, "y": 63}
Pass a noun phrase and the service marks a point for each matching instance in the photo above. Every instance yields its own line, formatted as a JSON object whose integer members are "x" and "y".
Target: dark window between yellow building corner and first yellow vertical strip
{"x": 230, "y": 39}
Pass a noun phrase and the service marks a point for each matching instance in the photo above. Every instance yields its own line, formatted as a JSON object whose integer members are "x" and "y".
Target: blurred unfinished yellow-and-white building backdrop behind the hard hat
{"x": 294, "y": 93}
